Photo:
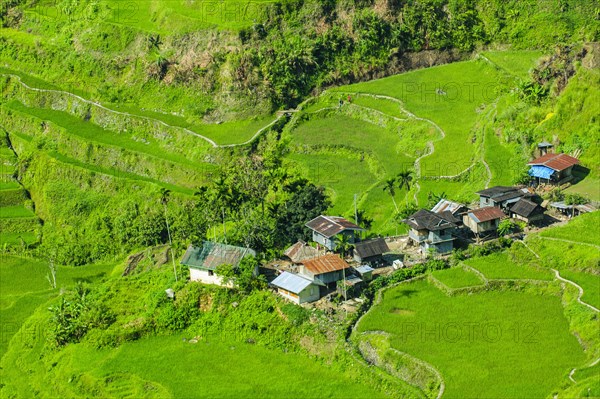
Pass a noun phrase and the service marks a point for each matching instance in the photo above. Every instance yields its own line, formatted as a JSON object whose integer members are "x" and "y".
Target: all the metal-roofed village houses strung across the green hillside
{"x": 312, "y": 271}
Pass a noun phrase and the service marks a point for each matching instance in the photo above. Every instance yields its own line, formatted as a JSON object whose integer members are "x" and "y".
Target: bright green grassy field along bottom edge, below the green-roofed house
{"x": 228, "y": 369}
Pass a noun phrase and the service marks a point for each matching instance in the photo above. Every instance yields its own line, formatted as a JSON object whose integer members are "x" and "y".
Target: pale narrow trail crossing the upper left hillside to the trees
{"x": 155, "y": 120}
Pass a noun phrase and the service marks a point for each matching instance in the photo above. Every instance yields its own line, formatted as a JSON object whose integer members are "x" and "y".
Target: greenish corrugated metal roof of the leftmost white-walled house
{"x": 213, "y": 254}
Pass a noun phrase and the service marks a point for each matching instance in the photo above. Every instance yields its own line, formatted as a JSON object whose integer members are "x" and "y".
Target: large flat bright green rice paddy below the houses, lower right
{"x": 486, "y": 345}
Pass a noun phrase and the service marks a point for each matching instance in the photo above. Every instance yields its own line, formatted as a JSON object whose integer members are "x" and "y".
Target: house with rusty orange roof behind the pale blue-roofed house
{"x": 325, "y": 270}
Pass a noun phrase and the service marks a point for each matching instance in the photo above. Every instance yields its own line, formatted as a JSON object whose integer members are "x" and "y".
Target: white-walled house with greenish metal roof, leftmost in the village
{"x": 203, "y": 261}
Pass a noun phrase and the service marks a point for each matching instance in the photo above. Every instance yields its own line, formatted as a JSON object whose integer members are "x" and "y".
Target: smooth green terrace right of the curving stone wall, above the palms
{"x": 467, "y": 85}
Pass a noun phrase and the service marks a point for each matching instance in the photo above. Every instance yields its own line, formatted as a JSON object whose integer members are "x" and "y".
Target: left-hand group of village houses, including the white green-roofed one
{"x": 311, "y": 271}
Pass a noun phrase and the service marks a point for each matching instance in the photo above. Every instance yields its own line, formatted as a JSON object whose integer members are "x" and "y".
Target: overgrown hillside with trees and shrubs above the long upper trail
{"x": 273, "y": 55}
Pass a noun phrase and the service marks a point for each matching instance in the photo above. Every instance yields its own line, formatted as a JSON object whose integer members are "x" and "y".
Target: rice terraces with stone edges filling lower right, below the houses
{"x": 501, "y": 313}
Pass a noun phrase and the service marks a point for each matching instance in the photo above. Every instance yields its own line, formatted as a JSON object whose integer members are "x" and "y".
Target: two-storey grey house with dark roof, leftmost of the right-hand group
{"x": 432, "y": 230}
